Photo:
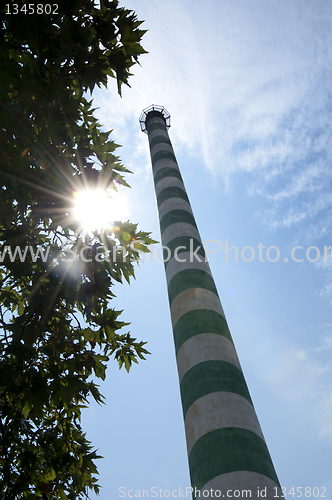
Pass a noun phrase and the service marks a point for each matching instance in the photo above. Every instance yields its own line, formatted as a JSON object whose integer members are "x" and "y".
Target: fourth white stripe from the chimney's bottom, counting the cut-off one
{"x": 193, "y": 299}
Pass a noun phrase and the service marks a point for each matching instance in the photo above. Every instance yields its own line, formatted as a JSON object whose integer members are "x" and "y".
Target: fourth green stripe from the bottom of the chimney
{"x": 190, "y": 278}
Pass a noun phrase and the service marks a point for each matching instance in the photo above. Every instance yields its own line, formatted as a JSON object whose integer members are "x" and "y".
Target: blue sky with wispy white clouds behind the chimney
{"x": 248, "y": 87}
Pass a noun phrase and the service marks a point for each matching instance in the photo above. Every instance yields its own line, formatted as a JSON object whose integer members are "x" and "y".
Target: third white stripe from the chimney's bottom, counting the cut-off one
{"x": 205, "y": 347}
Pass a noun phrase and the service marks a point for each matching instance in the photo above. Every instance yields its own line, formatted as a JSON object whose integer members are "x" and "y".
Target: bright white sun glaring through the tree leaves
{"x": 97, "y": 209}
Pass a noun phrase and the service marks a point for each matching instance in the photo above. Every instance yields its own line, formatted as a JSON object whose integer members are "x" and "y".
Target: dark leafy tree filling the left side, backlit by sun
{"x": 57, "y": 326}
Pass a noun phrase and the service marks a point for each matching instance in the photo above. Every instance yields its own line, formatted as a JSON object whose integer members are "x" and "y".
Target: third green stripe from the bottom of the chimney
{"x": 199, "y": 321}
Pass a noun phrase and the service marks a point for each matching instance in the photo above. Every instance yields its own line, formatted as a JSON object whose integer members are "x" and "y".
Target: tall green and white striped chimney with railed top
{"x": 227, "y": 453}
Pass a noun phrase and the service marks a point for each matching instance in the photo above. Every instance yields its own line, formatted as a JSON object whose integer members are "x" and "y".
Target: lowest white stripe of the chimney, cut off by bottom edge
{"x": 243, "y": 481}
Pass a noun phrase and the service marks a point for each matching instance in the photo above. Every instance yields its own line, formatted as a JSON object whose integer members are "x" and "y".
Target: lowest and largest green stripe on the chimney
{"x": 229, "y": 450}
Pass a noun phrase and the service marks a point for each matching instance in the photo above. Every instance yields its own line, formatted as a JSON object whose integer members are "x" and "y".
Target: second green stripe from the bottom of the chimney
{"x": 211, "y": 376}
